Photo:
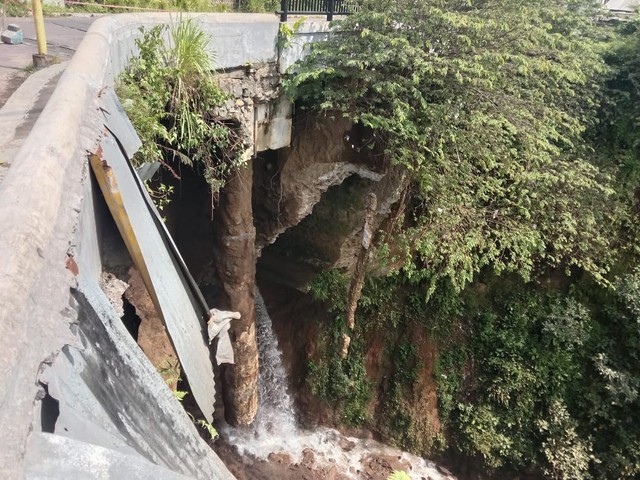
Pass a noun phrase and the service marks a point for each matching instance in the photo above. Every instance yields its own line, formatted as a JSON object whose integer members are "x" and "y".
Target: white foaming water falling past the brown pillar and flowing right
{"x": 275, "y": 429}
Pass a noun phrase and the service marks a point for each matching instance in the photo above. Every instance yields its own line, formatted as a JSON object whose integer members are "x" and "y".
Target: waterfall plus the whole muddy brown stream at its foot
{"x": 275, "y": 439}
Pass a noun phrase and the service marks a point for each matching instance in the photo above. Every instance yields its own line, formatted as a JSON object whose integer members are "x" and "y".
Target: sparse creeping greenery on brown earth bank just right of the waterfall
{"x": 387, "y": 308}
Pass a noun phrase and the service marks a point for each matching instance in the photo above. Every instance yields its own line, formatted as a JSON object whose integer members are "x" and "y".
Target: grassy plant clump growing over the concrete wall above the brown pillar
{"x": 170, "y": 95}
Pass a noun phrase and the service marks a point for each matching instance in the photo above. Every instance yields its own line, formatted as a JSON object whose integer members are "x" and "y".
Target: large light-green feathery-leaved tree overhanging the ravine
{"x": 485, "y": 104}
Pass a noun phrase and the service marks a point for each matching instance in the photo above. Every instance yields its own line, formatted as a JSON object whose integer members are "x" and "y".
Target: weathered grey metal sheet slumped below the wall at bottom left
{"x": 109, "y": 395}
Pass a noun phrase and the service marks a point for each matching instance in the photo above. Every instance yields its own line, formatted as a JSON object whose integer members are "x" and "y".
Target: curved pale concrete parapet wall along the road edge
{"x": 47, "y": 215}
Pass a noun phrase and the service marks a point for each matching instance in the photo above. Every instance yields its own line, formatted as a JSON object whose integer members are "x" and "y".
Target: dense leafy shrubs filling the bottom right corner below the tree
{"x": 552, "y": 382}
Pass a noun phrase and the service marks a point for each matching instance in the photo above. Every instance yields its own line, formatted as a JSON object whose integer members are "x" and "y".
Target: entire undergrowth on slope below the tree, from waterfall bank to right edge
{"x": 531, "y": 379}
